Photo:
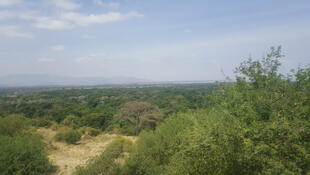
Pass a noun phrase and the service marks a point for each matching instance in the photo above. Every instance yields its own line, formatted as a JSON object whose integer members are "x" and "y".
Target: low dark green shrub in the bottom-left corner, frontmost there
{"x": 23, "y": 155}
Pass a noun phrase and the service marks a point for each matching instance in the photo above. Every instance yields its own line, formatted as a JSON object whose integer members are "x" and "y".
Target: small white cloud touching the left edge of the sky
{"x": 14, "y": 32}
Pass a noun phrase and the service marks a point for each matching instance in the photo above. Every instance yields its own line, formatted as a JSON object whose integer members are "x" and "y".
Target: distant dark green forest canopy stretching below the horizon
{"x": 96, "y": 107}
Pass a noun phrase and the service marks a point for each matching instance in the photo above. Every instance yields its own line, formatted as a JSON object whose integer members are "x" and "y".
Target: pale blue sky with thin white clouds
{"x": 159, "y": 40}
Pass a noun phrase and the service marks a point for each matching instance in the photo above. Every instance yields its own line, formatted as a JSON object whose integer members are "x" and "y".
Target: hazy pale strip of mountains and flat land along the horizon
{"x": 34, "y": 80}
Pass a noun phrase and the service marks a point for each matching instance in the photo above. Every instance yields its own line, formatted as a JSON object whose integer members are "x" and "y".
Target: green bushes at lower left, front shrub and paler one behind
{"x": 20, "y": 151}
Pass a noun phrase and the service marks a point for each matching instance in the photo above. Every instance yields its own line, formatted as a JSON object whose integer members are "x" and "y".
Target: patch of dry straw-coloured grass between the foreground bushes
{"x": 67, "y": 157}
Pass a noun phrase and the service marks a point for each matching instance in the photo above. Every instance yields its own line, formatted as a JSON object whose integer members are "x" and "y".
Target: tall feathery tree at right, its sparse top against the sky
{"x": 261, "y": 85}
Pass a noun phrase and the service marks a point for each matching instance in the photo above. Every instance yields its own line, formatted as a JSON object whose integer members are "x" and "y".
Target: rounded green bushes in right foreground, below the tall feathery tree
{"x": 212, "y": 142}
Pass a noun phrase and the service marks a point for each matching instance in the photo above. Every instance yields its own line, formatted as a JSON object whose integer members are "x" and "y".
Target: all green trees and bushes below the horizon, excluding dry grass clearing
{"x": 258, "y": 124}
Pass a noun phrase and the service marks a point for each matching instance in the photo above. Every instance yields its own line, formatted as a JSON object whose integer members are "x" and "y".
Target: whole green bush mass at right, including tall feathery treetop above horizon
{"x": 259, "y": 125}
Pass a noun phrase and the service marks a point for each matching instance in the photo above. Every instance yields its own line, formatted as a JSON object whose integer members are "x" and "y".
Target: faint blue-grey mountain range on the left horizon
{"x": 54, "y": 80}
